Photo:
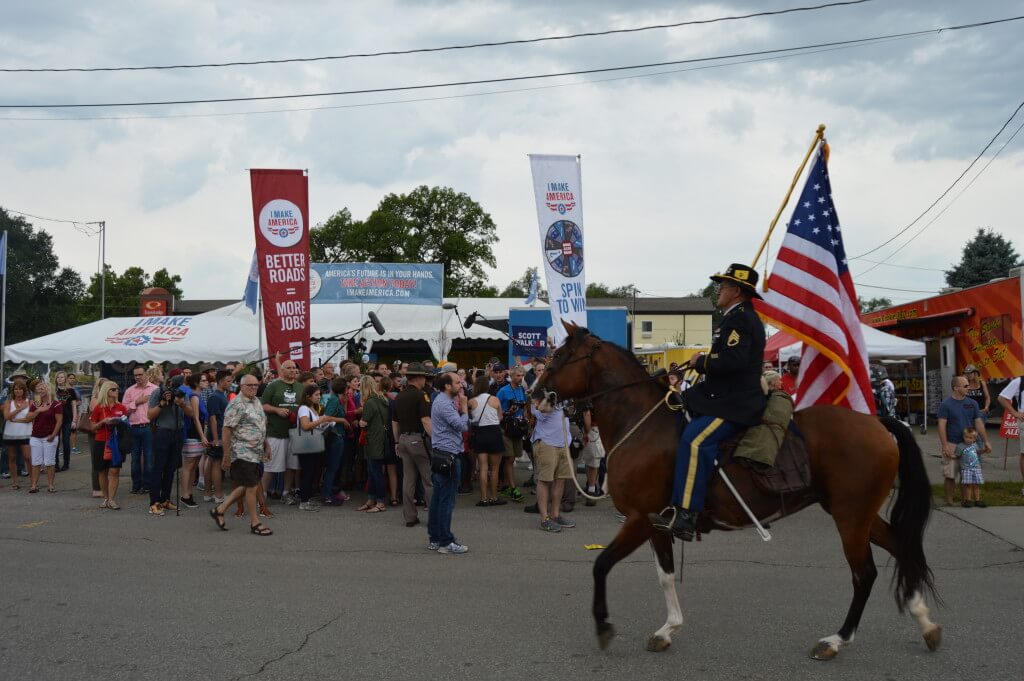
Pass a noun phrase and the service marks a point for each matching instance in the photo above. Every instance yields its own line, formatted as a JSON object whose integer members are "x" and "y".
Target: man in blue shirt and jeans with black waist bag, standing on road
{"x": 449, "y": 420}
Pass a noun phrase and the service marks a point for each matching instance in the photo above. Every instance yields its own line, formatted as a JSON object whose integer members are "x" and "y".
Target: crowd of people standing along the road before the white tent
{"x": 409, "y": 436}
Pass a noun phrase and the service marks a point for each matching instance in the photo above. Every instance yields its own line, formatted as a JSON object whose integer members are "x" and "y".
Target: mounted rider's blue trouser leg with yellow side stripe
{"x": 696, "y": 459}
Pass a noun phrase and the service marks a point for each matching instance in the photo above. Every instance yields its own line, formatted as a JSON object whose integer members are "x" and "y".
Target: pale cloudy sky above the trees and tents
{"x": 681, "y": 172}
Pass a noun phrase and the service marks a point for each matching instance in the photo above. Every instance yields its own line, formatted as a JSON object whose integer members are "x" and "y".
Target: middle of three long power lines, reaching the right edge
{"x": 511, "y": 78}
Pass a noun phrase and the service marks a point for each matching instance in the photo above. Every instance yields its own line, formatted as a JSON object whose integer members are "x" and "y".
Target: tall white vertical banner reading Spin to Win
{"x": 559, "y": 188}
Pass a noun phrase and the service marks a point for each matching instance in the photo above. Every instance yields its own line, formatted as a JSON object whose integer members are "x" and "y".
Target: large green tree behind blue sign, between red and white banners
{"x": 429, "y": 225}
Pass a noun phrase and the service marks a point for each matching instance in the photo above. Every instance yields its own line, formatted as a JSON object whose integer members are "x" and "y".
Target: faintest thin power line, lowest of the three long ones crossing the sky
{"x": 463, "y": 96}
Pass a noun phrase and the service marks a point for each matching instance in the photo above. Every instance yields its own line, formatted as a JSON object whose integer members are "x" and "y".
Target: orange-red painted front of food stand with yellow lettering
{"x": 985, "y": 320}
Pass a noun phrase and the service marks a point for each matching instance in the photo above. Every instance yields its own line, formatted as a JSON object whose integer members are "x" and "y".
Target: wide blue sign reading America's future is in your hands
{"x": 410, "y": 284}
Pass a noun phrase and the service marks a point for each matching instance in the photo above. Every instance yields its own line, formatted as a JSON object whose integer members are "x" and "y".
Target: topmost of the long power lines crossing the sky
{"x": 422, "y": 51}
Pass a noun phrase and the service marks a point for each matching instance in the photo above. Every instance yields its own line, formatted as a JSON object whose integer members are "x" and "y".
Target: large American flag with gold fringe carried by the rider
{"x": 810, "y": 295}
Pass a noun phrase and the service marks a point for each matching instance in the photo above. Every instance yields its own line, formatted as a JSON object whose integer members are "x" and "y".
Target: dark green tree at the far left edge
{"x": 42, "y": 296}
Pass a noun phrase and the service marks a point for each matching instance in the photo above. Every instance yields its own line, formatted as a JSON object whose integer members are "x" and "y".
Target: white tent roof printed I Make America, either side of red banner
{"x": 235, "y": 333}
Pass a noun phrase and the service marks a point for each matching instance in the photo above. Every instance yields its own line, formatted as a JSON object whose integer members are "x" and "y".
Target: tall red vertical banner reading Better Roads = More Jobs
{"x": 281, "y": 215}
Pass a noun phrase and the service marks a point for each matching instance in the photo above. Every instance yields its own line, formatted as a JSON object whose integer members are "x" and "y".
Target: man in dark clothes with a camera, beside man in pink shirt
{"x": 168, "y": 410}
